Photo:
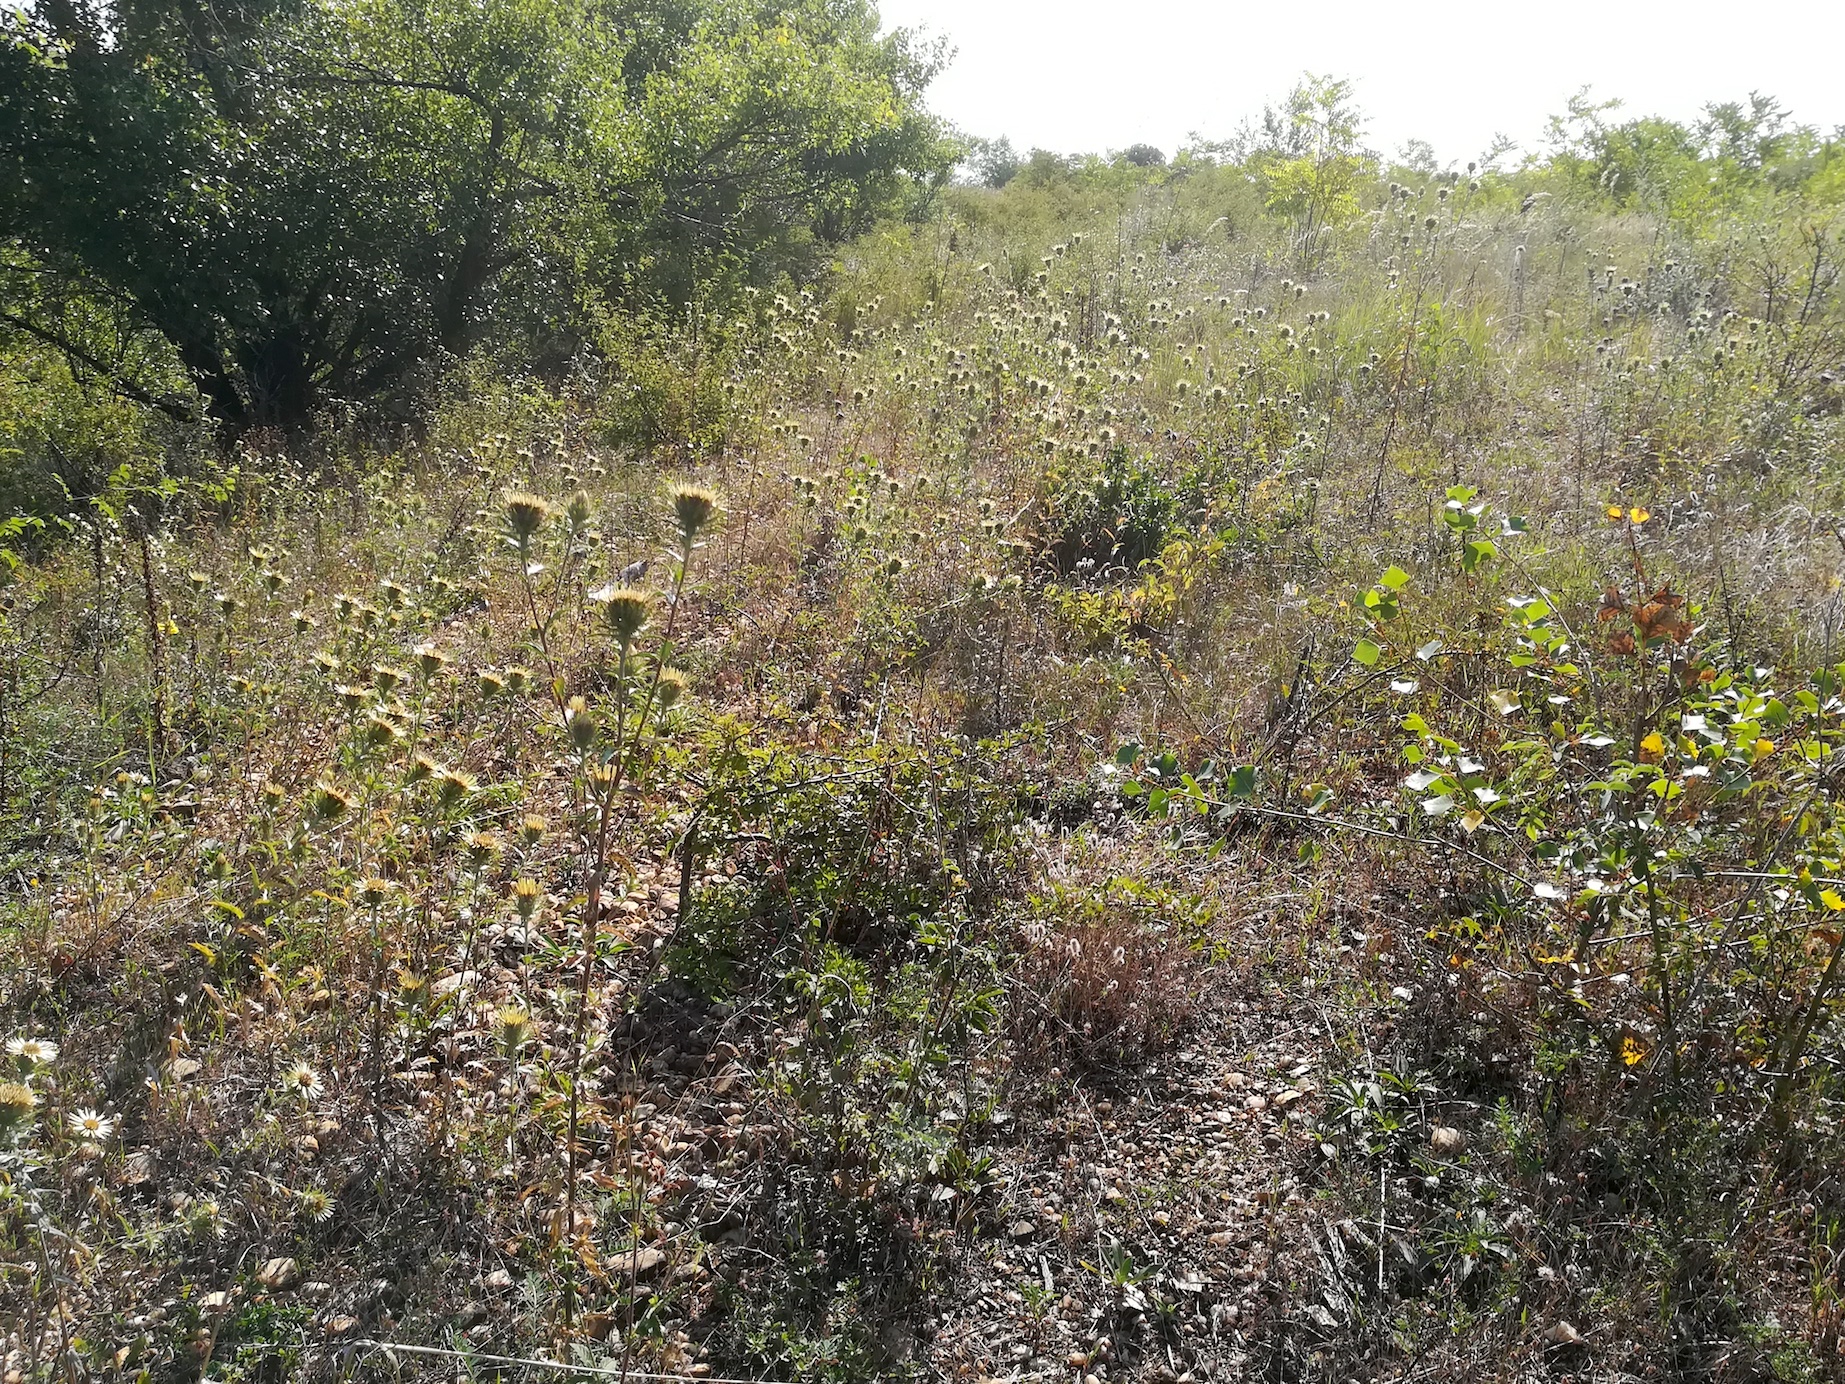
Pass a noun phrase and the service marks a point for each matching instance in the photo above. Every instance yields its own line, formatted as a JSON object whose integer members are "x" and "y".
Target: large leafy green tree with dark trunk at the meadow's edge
{"x": 309, "y": 200}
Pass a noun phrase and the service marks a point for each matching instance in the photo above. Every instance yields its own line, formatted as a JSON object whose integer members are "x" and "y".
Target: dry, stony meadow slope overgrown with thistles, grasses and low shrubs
{"x": 1165, "y": 772}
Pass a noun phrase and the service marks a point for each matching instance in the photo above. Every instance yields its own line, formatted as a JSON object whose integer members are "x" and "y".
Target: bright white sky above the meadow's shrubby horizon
{"x": 1086, "y": 75}
